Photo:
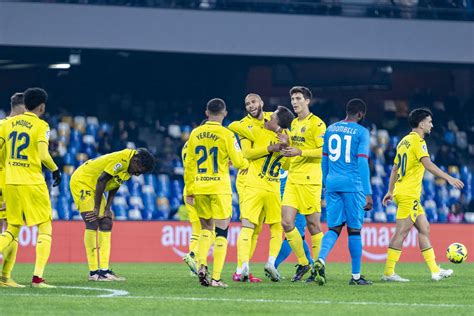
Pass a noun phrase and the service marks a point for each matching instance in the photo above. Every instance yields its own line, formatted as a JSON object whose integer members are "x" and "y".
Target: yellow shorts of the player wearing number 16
{"x": 260, "y": 203}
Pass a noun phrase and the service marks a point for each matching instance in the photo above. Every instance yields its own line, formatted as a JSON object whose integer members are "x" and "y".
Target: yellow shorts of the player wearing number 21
{"x": 216, "y": 206}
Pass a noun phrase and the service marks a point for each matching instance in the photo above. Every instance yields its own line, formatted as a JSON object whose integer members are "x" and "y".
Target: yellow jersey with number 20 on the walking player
{"x": 410, "y": 150}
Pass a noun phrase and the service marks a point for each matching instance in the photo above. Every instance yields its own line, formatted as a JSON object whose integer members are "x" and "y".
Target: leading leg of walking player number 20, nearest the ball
{"x": 423, "y": 227}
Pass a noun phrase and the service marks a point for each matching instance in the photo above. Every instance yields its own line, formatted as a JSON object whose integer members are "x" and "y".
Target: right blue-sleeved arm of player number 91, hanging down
{"x": 363, "y": 166}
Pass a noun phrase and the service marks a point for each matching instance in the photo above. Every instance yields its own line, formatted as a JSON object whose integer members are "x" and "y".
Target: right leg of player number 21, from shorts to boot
{"x": 221, "y": 212}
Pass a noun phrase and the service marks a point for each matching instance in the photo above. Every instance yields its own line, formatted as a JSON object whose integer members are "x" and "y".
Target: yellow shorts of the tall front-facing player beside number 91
{"x": 306, "y": 198}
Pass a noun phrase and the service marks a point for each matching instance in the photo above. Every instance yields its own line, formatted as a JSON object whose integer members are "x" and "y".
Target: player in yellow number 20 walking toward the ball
{"x": 404, "y": 189}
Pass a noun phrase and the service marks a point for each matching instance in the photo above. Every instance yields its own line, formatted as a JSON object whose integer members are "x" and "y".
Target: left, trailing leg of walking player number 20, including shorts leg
{"x": 404, "y": 223}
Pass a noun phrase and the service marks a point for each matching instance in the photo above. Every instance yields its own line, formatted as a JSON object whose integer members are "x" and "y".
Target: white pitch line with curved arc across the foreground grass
{"x": 120, "y": 294}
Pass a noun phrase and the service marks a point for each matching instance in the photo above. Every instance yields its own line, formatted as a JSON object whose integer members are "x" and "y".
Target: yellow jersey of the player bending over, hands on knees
{"x": 116, "y": 164}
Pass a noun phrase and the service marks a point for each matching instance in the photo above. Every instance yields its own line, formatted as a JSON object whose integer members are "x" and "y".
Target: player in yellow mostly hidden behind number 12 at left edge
{"x": 9, "y": 255}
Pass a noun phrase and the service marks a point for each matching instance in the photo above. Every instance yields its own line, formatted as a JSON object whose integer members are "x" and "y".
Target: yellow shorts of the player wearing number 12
{"x": 28, "y": 203}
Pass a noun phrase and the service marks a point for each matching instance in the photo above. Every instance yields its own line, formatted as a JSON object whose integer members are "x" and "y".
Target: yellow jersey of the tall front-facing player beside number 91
{"x": 308, "y": 135}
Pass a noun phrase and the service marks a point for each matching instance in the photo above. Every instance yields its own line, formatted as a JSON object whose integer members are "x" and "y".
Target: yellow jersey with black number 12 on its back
{"x": 21, "y": 135}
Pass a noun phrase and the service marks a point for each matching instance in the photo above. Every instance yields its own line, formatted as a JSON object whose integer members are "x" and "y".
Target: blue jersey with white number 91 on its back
{"x": 345, "y": 158}
